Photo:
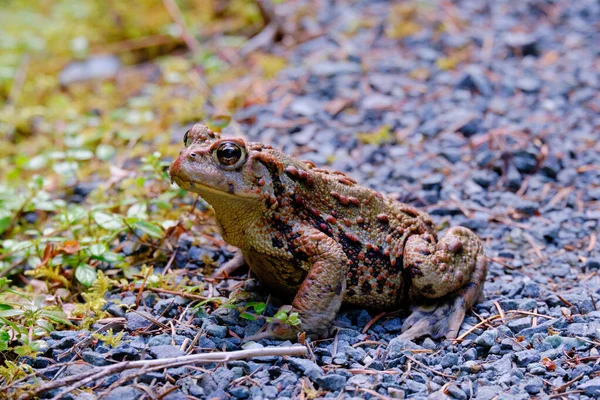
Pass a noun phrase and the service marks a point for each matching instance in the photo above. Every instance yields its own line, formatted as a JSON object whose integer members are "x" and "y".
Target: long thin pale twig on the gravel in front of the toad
{"x": 75, "y": 381}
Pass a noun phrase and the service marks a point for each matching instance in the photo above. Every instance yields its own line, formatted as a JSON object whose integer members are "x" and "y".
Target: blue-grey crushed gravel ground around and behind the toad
{"x": 506, "y": 143}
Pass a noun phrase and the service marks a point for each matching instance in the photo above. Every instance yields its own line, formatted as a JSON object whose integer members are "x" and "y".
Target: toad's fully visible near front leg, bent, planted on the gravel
{"x": 320, "y": 295}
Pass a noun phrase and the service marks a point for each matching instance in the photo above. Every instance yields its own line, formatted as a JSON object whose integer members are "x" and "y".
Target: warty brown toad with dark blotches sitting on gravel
{"x": 322, "y": 238}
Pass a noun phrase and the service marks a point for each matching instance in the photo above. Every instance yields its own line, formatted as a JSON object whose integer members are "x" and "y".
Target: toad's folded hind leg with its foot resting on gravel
{"x": 446, "y": 280}
